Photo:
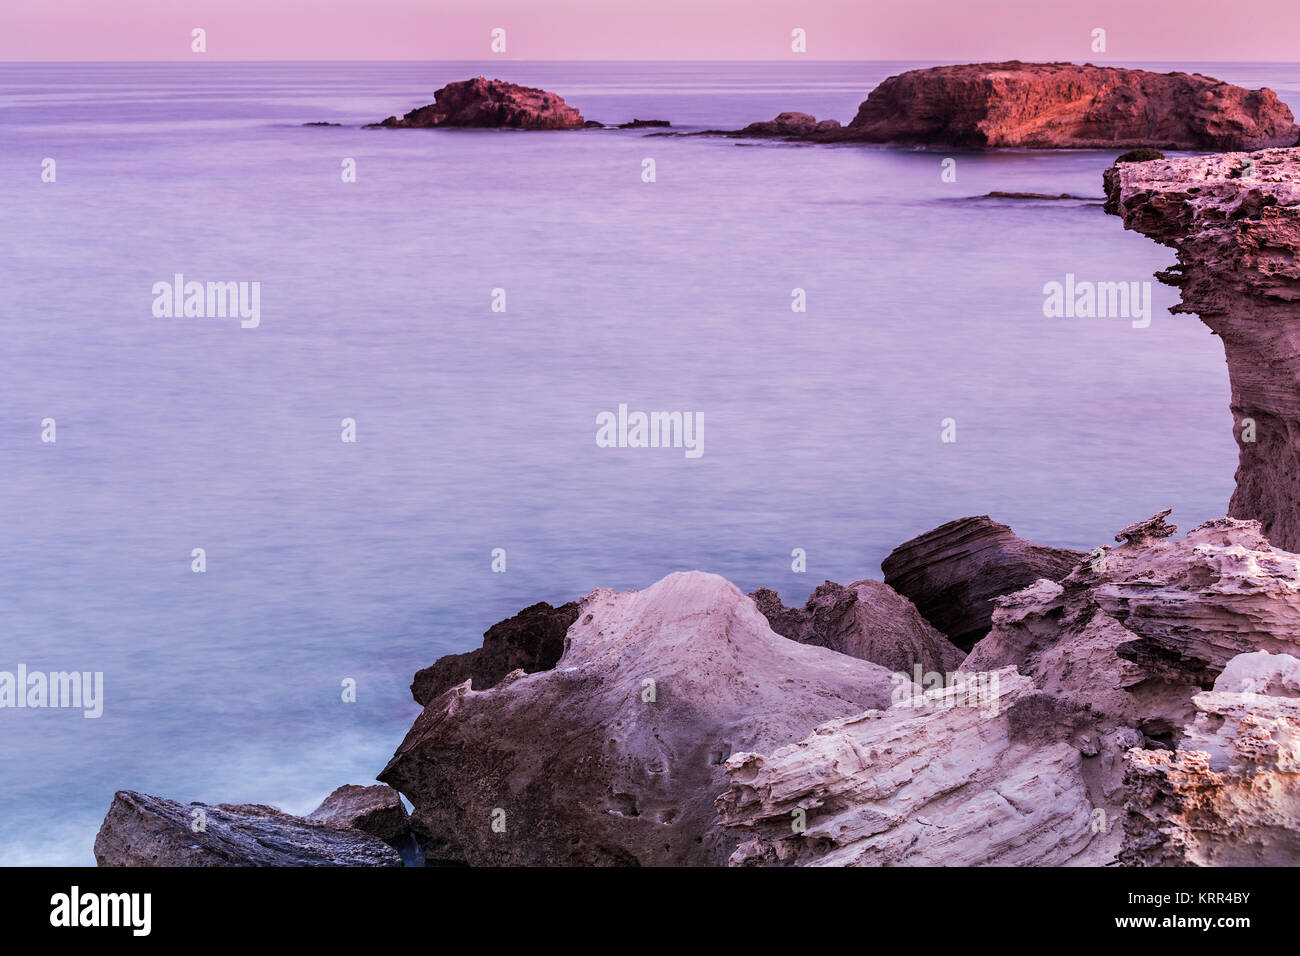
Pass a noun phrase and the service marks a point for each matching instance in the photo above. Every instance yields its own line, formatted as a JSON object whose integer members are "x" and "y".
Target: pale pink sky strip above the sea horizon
{"x": 937, "y": 31}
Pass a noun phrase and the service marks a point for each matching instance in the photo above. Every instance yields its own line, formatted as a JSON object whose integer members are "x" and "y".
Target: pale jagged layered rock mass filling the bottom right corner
{"x": 1026, "y": 756}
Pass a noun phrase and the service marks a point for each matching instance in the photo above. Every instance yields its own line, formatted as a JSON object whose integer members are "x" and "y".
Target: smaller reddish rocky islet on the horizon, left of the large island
{"x": 491, "y": 103}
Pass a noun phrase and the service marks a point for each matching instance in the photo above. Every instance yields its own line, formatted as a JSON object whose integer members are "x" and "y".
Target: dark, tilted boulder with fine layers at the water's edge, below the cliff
{"x": 954, "y": 573}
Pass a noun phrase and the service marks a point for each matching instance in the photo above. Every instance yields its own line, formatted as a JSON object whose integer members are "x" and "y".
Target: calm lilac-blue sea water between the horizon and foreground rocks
{"x": 328, "y": 561}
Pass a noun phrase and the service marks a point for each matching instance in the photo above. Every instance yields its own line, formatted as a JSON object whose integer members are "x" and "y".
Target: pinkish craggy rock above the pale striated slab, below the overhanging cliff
{"x": 1142, "y": 628}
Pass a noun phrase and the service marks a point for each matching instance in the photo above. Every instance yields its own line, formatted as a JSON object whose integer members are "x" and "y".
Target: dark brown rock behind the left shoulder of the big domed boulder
{"x": 532, "y": 641}
